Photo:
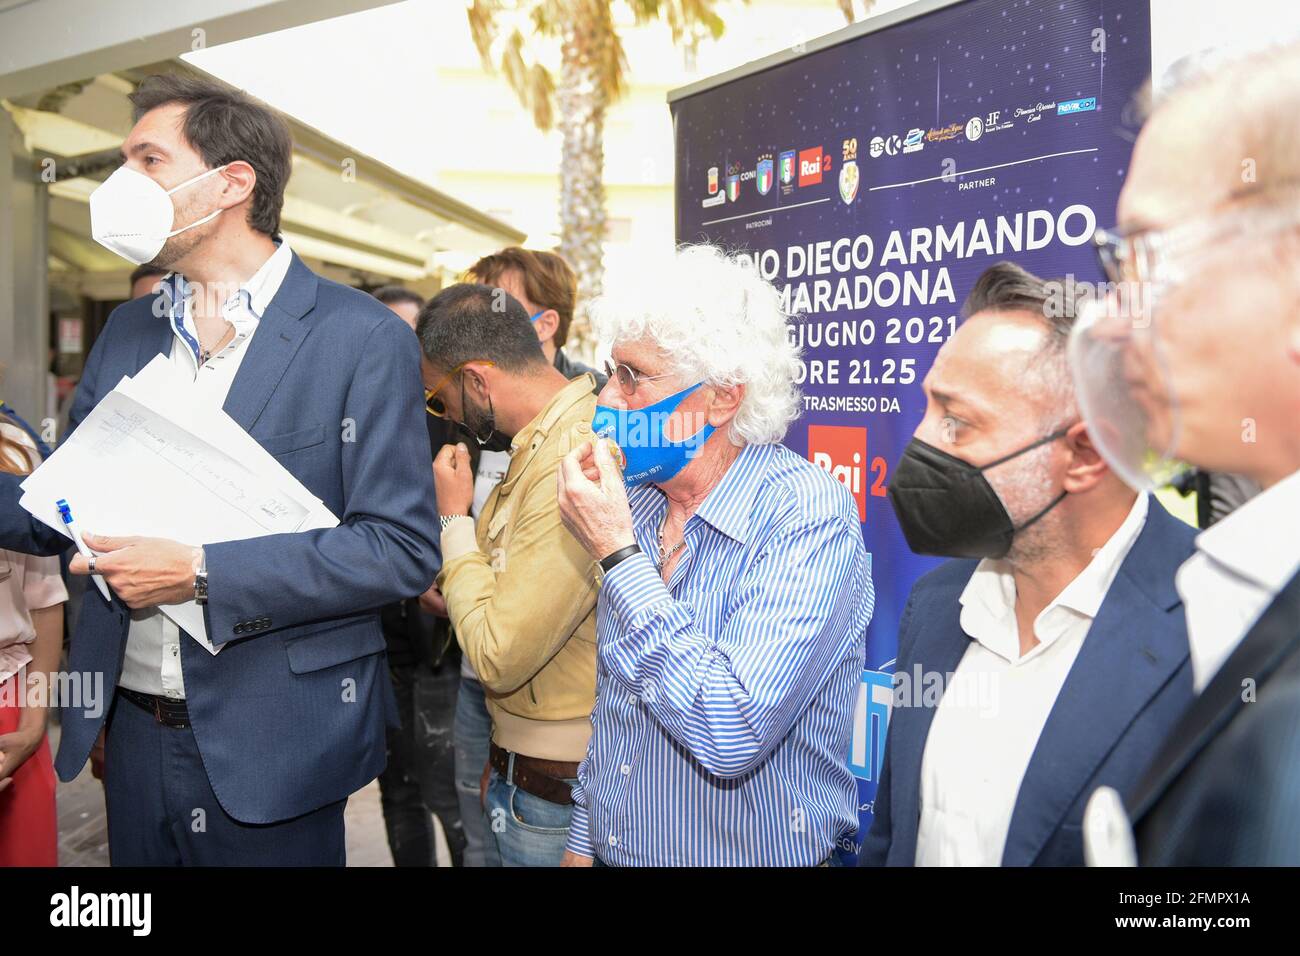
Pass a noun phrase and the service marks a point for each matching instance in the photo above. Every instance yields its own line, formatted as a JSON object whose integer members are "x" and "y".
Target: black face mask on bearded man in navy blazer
{"x": 947, "y": 508}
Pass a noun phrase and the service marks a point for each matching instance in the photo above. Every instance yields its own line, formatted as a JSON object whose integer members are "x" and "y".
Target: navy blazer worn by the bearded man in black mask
{"x": 1129, "y": 685}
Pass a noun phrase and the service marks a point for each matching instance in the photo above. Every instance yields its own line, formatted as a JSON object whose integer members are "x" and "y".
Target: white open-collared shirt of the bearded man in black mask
{"x": 998, "y": 703}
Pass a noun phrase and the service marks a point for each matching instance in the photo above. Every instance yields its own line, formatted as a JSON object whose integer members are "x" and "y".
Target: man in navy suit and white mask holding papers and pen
{"x": 246, "y": 756}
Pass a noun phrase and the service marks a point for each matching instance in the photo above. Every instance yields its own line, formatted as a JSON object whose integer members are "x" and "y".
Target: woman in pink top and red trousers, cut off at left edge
{"x": 32, "y": 637}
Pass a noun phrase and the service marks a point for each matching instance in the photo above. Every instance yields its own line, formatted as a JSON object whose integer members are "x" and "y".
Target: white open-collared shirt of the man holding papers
{"x": 153, "y": 663}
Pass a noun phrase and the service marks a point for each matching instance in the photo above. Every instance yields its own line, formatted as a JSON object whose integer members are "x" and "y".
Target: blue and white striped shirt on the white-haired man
{"x": 725, "y": 700}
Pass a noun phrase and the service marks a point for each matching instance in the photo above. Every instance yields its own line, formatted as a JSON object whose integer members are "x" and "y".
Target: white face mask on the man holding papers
{"x": 132, "y": 215}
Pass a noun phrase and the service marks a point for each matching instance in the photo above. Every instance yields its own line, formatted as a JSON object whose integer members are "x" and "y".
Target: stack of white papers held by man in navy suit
{"x": 151, "y": 461}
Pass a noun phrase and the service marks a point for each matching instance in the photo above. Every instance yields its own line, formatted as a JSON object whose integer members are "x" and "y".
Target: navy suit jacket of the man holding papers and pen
{"x": 292, "y": 715}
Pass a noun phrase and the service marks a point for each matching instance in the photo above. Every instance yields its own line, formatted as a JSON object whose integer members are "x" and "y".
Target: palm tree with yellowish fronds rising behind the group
{"x": 593, "y": 75}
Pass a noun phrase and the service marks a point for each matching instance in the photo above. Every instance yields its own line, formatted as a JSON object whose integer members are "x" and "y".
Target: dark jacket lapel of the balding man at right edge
{"x": 1267, "y": 646}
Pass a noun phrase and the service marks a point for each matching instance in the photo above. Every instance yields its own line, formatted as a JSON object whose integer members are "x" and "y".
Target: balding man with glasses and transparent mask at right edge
{"x": 1206, "y": 369}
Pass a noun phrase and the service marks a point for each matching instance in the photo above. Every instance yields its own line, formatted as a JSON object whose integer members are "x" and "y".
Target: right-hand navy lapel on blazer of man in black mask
{"x": 1134, "y": 647}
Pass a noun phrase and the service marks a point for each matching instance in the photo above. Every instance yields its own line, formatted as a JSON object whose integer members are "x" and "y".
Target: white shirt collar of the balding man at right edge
{"x": 1238, "y": 569}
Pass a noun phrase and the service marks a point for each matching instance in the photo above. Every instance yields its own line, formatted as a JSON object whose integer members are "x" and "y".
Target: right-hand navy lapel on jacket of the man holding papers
{"x": 279, "y": 336}
